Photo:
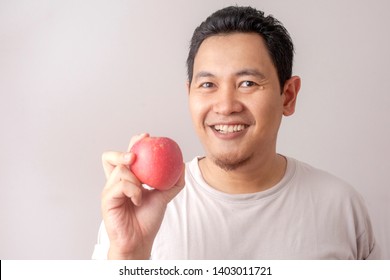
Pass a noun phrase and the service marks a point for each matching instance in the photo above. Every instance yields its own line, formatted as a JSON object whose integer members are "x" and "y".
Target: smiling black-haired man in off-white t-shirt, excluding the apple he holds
{"x": 242, "y": 200}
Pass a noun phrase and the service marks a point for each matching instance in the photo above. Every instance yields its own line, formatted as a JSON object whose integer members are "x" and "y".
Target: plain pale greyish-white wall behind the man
{"x": 81, "y": 77}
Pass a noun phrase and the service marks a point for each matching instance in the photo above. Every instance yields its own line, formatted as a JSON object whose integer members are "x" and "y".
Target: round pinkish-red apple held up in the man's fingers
{"x": 158, "y": 163}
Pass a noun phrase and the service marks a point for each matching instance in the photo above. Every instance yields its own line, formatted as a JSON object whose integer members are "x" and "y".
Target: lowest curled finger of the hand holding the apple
{"x": 120, "y": 192}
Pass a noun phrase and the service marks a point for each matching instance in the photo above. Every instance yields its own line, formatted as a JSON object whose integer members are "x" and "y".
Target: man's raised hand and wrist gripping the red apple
{"x": 132, "y": 214}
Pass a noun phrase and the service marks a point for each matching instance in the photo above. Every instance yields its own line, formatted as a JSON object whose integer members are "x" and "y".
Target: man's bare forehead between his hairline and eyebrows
{"x": 235, "y": 50}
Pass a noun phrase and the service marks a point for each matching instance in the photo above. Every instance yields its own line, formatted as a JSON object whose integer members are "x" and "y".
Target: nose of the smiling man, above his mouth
{"x": 227, "y": 101}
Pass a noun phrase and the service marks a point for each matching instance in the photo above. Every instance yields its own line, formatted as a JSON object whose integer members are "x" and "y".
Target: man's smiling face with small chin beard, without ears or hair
{"x": 235, "y": 99}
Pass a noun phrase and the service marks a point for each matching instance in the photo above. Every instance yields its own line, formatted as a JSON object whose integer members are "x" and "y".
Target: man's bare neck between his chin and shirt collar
{"x": 253, "y": 176}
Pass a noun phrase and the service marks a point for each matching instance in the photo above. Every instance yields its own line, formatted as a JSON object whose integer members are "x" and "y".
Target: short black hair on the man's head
{"x": 247, "y": 20}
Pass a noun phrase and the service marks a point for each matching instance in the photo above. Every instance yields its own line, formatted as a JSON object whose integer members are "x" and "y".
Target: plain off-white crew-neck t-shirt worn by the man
{"x": 309, "y": 214}
